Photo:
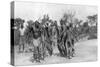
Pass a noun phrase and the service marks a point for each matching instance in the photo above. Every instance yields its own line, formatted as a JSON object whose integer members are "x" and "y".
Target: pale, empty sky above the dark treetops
{"x": 34, "y": 11}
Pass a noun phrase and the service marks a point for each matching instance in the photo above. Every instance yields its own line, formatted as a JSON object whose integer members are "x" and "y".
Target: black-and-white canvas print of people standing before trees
{"x": 50, "y": 33}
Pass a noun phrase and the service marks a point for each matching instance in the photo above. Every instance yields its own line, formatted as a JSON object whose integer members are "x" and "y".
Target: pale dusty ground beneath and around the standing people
{"x": 85, "y": 51}
